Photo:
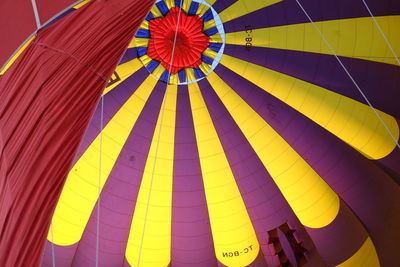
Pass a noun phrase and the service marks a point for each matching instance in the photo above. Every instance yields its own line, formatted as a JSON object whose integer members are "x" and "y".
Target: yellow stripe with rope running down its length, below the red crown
{"x": 155, "y": 248}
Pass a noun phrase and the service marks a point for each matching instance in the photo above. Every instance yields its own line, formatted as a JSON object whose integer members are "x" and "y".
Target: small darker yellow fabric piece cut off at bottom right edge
{"x": 365, "y": 257}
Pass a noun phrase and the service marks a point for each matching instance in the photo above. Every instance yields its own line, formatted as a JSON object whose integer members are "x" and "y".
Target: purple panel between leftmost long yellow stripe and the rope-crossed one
{"x": 119, "y": 194}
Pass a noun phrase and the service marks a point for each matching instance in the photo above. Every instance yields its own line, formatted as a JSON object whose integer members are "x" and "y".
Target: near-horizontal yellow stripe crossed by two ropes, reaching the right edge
{"x": 354, "y": 38}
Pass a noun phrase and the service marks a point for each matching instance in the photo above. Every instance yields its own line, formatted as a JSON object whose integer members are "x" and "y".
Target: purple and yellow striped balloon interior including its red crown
{"x": 242, "y": 133}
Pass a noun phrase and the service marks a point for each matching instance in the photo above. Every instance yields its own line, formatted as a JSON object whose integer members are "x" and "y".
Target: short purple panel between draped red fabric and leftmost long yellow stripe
{"x": 113, "y": 101}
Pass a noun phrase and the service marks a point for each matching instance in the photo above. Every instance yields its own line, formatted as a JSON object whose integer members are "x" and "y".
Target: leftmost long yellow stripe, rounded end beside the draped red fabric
{"x": 81, "y": 189}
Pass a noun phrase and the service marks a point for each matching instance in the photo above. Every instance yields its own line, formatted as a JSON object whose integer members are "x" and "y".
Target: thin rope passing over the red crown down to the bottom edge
{"x": 159, "y": 132}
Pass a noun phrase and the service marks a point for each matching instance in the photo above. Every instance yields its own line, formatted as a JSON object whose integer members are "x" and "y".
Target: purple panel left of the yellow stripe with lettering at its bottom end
{"x": 192, "y": 243}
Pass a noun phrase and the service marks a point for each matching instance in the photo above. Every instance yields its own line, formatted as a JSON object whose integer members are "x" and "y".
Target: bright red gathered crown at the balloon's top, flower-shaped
{"x": 190, "y": 40}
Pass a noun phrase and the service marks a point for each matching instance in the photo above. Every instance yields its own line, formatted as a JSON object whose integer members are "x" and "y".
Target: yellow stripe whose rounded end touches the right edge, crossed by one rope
{"x": 353, "y": 122}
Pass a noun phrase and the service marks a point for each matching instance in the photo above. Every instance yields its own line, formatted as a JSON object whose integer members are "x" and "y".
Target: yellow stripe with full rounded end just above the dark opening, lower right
{"x": 313, "y": 201}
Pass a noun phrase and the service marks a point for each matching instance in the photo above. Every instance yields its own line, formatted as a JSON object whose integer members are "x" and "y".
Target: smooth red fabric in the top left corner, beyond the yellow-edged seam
{"x": 17, "y": 22}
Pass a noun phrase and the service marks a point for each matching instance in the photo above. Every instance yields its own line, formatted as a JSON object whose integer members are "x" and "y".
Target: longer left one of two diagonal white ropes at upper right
{"x": 348, "y": 73}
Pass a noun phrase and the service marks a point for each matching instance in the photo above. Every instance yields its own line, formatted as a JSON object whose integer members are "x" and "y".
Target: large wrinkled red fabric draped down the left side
{"x": 47, "y": 98}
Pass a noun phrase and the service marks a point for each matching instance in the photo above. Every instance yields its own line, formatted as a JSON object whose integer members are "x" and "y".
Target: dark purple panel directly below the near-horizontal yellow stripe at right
{"x": 324, "y": 70}
